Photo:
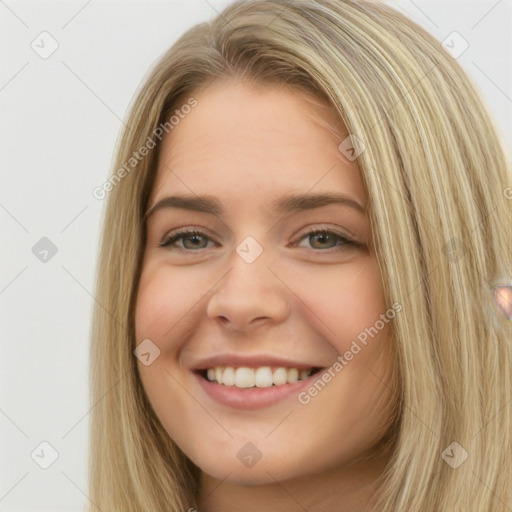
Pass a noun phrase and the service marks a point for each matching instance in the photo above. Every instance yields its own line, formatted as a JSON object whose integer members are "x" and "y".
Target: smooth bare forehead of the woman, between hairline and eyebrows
{"x": 255, "y": 140}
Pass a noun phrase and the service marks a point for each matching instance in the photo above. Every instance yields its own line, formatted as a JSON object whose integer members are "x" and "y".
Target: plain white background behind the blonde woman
{"x": 59, "y": 122}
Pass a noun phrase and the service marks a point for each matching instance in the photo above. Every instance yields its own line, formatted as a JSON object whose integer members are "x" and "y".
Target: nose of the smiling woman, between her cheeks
{"x": 248, "y": 295}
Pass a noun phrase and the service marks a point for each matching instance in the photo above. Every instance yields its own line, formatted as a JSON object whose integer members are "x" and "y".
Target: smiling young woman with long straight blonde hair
{"x": 237, "y": 362}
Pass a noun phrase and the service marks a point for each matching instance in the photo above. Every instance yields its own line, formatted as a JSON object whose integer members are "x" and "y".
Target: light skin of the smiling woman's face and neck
{"x": 306, "y": 297}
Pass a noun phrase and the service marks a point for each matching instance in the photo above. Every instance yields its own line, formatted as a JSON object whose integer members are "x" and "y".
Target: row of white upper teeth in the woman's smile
{"x": 262, "y": 377}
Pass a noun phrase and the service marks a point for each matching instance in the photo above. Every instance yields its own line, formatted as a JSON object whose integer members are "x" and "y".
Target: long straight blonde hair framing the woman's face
{"x": 436, "y": 178}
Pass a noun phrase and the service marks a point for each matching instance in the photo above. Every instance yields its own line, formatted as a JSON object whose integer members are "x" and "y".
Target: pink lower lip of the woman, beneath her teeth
{"x": 253, "y": 398}
